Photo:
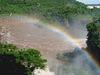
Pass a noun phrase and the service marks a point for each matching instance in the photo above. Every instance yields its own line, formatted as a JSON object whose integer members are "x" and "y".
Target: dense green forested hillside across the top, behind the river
{"x": 62, "y": 11}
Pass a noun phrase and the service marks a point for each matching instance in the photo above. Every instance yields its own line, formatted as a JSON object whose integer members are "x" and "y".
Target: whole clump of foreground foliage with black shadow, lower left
{"x": 19, "y": 62}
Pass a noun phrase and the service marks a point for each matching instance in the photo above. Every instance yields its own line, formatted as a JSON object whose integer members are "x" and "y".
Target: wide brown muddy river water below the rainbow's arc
{"x": 25, "y": 34}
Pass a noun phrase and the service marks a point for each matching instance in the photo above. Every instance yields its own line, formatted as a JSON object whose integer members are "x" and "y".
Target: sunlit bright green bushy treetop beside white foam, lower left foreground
{"x": 31, "y": 58}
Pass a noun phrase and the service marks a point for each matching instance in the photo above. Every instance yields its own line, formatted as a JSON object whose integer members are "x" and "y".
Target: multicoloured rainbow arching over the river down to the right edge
{"x": 58, "y": 29}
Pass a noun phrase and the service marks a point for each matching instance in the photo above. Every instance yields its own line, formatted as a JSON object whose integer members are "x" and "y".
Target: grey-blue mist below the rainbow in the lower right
{"x": 77, "y": 64}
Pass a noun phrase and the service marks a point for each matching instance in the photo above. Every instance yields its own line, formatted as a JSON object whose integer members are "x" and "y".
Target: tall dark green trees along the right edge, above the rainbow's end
{"x": 93, "y": 40}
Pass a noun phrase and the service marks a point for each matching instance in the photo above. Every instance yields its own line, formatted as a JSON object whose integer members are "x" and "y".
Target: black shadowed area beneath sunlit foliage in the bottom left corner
{"x": 8, "y": 65}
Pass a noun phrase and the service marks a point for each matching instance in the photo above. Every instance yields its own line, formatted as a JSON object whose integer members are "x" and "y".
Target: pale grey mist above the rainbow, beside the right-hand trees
{"x": 78, "y": 28}
